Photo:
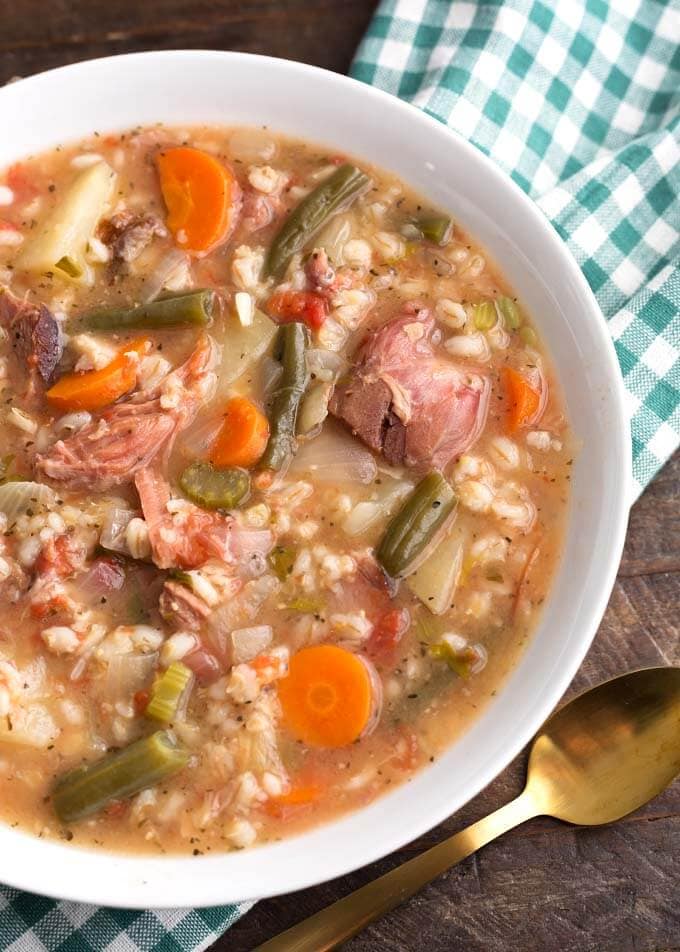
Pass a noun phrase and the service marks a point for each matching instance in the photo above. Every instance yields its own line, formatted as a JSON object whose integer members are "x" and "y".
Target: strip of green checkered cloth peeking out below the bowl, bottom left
{"x": 30, "y": 923}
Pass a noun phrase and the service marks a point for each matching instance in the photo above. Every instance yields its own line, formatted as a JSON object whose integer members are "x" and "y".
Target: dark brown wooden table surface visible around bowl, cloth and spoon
{"x": 546, "y": 886}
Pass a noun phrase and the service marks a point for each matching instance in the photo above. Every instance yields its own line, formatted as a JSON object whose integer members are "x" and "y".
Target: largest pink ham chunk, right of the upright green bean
{"x": 407, "y": 403}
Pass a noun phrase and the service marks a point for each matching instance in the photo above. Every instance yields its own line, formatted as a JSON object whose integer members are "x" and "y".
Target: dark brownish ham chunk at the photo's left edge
{"x": 35, "y": 336}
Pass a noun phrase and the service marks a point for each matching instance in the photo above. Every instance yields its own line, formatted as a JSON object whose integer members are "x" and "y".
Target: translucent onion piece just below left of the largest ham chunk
{"x": 333, "y": 457}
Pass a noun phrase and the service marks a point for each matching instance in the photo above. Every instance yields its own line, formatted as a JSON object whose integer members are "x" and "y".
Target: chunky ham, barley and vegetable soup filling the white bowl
{"x": 283, "y": 482}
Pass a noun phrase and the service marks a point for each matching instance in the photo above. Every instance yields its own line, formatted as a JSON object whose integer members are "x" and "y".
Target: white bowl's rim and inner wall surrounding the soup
{"x": 190, "y": 86}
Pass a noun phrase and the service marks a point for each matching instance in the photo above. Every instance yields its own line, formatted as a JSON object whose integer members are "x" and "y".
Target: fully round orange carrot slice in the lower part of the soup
{"x": 327, "y": 696}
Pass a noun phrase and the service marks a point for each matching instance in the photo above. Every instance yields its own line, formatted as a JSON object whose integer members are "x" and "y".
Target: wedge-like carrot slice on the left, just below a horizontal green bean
{"x": 95, "y": 389}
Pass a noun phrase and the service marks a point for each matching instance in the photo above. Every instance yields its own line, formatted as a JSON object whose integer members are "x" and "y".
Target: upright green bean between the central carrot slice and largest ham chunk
{"x": 289, "y": 350}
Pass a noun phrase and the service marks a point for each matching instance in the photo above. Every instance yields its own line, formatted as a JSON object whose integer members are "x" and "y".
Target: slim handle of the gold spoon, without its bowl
{"x": 344, "y": 918}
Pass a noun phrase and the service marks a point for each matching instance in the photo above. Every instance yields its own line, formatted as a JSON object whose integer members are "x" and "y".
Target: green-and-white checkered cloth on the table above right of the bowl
{"x": 579, "y": 101}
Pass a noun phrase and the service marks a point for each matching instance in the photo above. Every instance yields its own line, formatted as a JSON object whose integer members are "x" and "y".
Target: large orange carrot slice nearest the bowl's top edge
{"x": 201, "y": 195}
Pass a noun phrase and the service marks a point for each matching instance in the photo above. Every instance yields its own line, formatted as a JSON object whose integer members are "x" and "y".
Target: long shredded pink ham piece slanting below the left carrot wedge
{"x": 130, "y": 434}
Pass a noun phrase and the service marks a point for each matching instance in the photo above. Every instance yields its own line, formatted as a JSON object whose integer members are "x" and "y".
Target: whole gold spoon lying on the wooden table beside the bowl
{"x": 603, "y": 755}
